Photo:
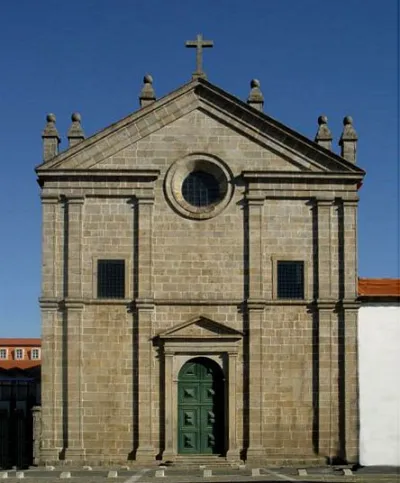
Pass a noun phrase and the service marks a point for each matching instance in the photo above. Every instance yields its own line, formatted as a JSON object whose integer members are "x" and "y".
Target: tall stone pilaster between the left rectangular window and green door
{"x": 145, "y": 312}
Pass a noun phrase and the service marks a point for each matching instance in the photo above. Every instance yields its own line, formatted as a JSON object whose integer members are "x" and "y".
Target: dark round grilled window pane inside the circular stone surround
{"x": 200, "y": 189}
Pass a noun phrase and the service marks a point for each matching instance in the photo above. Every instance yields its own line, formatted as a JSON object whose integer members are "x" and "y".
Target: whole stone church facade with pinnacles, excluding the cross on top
{"x": 199, "y": 285}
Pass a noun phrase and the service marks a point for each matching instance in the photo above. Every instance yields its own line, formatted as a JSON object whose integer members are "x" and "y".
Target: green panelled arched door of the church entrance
{"x": 200, "y": 408}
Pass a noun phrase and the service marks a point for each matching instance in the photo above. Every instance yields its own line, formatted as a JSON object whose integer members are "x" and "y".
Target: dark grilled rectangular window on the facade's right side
{"x": 290, "y": 280}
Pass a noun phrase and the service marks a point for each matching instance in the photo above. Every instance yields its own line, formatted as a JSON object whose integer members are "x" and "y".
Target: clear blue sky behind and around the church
{"x": 312, "y": 57}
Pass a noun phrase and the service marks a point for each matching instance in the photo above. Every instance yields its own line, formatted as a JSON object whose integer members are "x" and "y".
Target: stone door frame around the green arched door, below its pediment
{"x": 176, "y": 353}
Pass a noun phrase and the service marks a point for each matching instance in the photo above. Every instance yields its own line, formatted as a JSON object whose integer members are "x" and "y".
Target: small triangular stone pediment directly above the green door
{"x": 200, "y": 327}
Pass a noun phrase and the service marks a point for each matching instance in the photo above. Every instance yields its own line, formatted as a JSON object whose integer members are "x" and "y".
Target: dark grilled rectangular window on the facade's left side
{"x": 111, "y": 279}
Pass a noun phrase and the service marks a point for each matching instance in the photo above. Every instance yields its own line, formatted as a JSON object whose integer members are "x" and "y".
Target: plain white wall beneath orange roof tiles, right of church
{"x": 379, "y": 378}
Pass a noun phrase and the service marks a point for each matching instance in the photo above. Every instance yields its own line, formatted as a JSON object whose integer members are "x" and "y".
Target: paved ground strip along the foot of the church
{"x": 196, "y": 475}
